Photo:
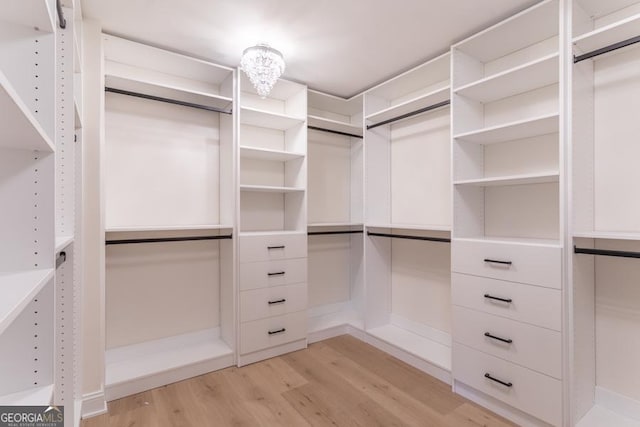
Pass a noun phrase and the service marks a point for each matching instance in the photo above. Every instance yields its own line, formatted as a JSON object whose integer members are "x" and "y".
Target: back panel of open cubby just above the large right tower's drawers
{"x": 523, "y": 211}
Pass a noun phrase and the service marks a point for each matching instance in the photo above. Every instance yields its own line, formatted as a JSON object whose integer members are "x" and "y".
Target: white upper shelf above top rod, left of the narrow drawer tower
{"x": 173, "y": 92}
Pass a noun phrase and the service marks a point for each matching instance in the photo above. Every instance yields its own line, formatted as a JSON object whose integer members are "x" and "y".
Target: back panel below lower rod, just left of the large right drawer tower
{"x": 421, "y": 282}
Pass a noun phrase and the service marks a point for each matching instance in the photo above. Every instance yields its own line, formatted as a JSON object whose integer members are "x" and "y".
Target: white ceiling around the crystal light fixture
{"x": 335, "y": 46}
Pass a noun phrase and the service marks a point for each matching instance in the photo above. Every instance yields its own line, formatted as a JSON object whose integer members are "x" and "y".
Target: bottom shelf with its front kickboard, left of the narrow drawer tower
{"x": 147, "y": 365}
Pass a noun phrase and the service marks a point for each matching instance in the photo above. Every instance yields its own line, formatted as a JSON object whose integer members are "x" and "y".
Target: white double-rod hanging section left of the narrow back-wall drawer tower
{"x": 170, "y": 203}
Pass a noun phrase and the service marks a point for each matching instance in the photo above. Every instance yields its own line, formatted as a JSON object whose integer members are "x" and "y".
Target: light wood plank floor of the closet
{"x": 338, "y": 382}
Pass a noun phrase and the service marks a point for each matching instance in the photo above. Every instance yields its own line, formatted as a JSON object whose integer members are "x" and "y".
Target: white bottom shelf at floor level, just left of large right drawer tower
{"x": 430, "y": 351}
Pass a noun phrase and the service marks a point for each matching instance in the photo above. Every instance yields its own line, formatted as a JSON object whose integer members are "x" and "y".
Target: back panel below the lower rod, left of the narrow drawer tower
{"x": 157, "y": 290}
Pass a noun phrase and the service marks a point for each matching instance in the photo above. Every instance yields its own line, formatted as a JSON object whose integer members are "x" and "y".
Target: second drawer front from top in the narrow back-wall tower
{"x": 272, "y": 273}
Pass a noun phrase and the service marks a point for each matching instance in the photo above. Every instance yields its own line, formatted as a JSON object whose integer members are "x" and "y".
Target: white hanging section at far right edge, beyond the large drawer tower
{"x": 605, "y": 301}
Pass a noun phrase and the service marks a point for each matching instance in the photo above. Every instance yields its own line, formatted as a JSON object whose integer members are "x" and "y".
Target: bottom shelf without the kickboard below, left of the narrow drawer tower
{"x": 125, "y": 364}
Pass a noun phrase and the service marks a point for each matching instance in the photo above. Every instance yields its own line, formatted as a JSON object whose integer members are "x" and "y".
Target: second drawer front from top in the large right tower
{"x": 530, "y": 304}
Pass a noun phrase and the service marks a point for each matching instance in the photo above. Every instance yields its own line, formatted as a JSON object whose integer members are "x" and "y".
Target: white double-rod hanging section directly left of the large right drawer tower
{"x": 407, "y": 194}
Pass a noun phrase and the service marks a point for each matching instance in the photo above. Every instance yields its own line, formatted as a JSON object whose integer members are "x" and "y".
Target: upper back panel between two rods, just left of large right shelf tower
{"x": 420, "y": 170}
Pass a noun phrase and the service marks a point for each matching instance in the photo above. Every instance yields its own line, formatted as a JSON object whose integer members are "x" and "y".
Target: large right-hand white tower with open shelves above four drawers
{"x": 507, "y": 233}
